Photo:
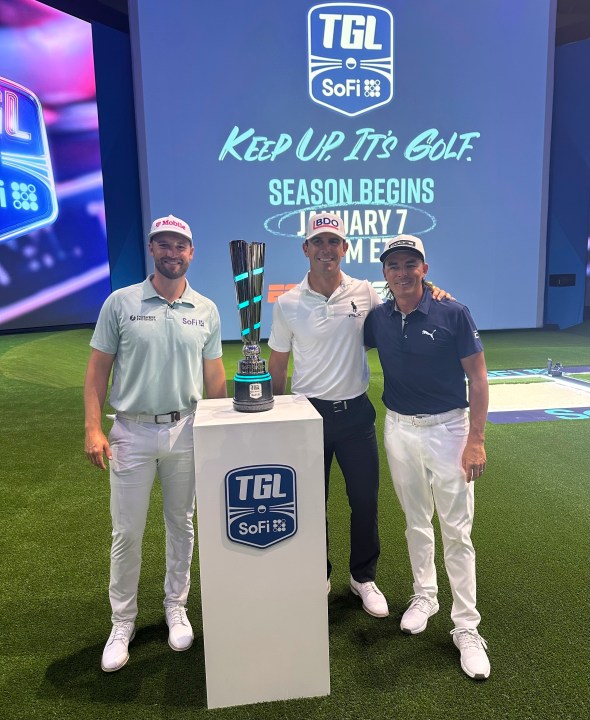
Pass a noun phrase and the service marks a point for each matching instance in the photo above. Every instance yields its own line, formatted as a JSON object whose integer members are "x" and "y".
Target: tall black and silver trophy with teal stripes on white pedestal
{"x": 252, "y": 383}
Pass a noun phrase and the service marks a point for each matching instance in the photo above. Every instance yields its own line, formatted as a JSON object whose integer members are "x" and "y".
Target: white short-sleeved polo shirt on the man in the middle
{"x": 326, "y": 338}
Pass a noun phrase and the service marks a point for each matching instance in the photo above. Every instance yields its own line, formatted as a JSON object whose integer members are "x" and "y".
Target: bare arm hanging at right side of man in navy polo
{"x": 474, "y": 455}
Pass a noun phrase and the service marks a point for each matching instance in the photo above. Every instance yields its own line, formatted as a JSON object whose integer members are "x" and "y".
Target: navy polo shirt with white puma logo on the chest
{"x": 422, "y": 364}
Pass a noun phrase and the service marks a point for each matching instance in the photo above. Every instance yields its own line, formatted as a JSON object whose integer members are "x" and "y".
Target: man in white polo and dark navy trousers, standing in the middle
{"x": 321, "y": 321}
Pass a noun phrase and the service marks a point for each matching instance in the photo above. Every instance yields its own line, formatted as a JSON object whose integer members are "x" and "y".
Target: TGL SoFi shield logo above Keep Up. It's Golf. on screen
{"x": 350, "y": 56}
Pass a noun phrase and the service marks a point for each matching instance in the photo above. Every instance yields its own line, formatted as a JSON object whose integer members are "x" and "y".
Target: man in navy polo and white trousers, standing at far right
{"x": 434, "y": 445}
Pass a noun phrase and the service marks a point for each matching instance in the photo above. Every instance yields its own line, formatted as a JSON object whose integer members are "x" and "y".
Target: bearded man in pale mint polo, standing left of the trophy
{"x": 162, "y": 341}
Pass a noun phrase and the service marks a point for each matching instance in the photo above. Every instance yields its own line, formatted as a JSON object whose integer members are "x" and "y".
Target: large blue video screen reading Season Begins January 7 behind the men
{"x": 414, "y": 116}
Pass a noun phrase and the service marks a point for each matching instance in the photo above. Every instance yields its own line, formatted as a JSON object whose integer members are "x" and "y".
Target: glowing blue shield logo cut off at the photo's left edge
{"x": 27, "y": 190}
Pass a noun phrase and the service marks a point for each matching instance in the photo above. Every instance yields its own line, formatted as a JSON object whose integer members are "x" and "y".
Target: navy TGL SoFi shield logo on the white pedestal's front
{"x": 261, "y": 504}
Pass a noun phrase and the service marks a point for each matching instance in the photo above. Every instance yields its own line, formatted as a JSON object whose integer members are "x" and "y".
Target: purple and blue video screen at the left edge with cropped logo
{"x": 54, "y": 268}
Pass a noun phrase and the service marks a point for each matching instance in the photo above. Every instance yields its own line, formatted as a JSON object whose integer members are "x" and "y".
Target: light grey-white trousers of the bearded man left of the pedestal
{"x": 139, "y": 450}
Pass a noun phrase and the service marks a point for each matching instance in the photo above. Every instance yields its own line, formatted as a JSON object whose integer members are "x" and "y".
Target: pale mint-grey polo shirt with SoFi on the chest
{"x": 158, "y": 346}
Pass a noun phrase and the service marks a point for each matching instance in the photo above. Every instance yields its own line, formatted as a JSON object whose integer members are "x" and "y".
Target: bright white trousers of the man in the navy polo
{"x": 425, "y": 465}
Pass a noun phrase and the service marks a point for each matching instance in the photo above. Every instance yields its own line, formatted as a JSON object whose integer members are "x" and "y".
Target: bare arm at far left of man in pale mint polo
{"x": 96, "y": 383}
